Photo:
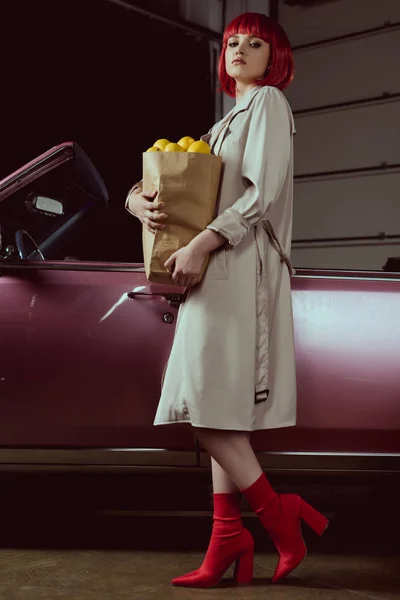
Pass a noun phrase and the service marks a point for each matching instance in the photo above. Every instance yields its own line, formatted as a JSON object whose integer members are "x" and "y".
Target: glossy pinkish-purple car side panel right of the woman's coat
{"x": 347, "y": 331}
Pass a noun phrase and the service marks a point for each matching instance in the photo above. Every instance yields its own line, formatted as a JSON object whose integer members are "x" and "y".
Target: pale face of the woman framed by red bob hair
{"x": 246, "y": 57}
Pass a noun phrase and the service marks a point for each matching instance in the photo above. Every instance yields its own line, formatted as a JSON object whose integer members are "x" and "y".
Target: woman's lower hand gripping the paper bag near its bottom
{"x": 186, "y": 265}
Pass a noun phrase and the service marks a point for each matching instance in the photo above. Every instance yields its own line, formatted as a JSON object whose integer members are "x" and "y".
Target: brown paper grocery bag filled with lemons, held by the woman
{"x": 187, "y": 182}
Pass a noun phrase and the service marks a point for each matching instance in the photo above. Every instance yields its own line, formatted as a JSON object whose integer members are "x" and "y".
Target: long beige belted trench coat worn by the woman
{"x": 232, "y": 364}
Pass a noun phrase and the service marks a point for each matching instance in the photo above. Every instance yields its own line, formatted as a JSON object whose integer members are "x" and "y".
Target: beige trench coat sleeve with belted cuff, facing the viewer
{"x": 265, "y": 164}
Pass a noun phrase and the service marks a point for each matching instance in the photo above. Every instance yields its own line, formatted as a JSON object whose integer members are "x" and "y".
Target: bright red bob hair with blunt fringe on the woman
{"x": 280, "y": 69}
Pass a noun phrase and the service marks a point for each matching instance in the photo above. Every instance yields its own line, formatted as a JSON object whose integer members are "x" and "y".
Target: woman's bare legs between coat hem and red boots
{"x": 232, "y": 451}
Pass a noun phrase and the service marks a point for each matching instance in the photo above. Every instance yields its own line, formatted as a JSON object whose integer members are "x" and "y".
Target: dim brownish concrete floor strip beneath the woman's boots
{"x": 122, "y": 575}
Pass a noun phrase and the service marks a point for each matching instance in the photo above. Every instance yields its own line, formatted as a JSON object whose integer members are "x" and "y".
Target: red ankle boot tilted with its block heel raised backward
{"x": 281, "y": 516}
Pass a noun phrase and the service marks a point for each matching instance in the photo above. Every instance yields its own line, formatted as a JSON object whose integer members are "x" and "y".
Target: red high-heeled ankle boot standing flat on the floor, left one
{"x": 230, "y": 542}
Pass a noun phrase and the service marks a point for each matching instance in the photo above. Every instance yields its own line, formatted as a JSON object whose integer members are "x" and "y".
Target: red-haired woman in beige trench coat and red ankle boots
{"x": 232, "y": 364}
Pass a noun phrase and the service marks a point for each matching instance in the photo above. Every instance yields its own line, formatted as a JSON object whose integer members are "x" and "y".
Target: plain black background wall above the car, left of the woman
{"x": 111, "y": 80}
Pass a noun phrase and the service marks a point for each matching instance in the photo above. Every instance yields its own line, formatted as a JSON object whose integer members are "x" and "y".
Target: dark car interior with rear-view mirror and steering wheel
{"x": 45, "y": 218}
